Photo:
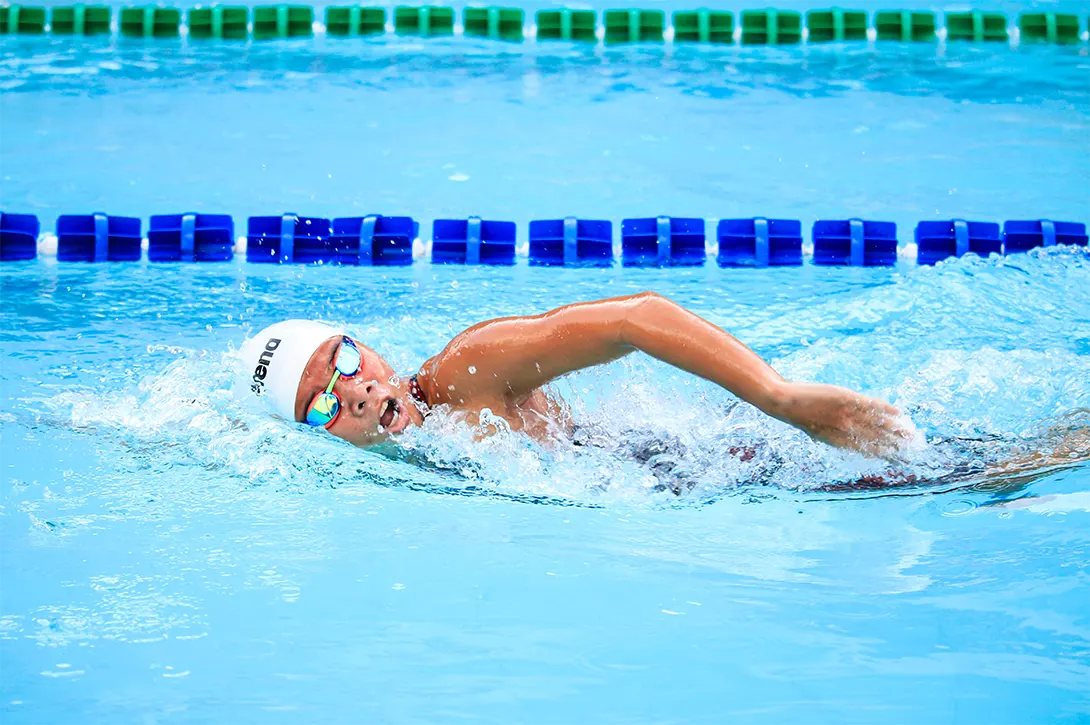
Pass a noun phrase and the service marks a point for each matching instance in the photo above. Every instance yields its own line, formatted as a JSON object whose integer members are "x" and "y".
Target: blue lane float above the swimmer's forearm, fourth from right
{"x": 759, "y": 243}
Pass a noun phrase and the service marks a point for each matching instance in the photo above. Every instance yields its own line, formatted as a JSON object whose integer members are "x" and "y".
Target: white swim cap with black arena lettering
{"x": 273, "y": 361}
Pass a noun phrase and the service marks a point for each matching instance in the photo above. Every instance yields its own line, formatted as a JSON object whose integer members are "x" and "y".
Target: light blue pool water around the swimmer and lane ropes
{"x": 169, "y": 557}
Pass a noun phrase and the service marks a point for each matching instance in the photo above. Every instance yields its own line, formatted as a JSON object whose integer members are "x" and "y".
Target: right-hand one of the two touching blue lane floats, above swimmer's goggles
{"x": 374, "y": 241}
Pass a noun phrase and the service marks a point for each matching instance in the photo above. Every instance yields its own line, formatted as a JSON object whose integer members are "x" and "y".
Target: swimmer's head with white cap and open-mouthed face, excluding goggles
{"x": 289, "y": 364}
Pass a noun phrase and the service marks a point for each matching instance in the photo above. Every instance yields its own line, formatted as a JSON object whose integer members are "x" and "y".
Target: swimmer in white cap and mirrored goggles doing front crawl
{"x": 311, "y": 373}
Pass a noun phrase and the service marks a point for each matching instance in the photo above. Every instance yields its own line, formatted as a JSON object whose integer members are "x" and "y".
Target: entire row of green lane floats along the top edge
{"x": 767, "y": 27}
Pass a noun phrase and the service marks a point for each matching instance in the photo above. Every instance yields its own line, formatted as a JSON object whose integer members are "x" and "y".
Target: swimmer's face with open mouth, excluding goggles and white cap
{"x": 374, "y": 403}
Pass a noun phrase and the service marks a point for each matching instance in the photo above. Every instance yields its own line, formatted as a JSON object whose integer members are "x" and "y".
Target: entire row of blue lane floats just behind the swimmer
{"x": 650, "y": 241}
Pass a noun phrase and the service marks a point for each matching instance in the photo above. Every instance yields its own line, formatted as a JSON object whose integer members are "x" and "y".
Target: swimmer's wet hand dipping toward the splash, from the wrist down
{"x": 844, "y": 419}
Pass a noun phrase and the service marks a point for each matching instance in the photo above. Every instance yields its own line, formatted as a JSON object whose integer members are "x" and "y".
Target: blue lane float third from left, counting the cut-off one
{"x": 191, "y": 238}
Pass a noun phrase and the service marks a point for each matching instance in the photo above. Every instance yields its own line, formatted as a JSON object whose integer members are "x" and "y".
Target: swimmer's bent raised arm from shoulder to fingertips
{"x": 510, "y": 358}
